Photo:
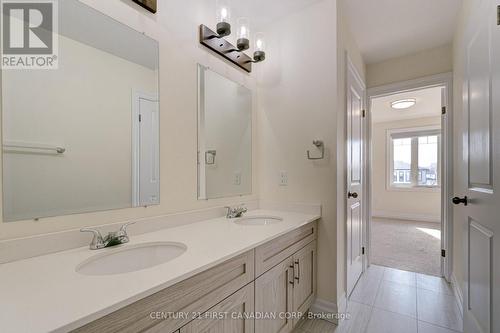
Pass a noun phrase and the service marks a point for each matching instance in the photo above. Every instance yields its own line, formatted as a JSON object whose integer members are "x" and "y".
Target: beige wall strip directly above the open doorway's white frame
{"x": 425, "y": 63}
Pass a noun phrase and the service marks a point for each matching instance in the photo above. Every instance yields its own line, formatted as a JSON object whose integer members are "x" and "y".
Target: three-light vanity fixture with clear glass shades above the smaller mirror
{"x": 217, "y": 43}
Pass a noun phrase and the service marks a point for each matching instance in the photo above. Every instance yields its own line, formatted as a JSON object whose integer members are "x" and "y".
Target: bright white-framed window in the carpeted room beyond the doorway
{"x": 414, "y": 158}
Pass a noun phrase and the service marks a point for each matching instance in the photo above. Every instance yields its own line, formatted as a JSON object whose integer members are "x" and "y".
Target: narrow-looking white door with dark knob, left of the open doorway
{"x": 354, "y": 195}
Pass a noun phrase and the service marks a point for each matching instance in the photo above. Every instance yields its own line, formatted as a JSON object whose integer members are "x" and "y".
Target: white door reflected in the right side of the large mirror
{"x": 146, "y": 151}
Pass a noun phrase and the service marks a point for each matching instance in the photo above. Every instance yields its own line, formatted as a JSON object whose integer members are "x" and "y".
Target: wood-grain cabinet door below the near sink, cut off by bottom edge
{"x": 232, "y": 315}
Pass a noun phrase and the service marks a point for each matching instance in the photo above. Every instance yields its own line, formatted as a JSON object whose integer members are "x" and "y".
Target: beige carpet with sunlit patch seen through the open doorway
{"x": 407, "y": 245}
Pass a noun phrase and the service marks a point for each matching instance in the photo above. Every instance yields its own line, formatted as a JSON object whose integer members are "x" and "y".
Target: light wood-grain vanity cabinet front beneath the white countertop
{"x": 273, "y": 278}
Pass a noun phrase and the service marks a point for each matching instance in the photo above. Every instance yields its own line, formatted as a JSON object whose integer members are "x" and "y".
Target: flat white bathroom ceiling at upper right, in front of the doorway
{"x": 385, "y": 29}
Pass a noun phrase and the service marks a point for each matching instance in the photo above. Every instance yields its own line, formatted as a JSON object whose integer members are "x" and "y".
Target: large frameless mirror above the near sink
{"x": 83, "y": 137}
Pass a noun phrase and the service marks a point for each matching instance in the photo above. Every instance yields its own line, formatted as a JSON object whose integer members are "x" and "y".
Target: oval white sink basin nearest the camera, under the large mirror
{"x": 131, "y": 258}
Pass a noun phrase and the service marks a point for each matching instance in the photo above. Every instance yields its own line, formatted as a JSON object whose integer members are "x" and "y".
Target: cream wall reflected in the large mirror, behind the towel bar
{"x": 91, "y": 120}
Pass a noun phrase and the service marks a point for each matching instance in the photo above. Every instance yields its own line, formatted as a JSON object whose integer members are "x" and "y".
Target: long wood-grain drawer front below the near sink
{"x": 196, "y": 294}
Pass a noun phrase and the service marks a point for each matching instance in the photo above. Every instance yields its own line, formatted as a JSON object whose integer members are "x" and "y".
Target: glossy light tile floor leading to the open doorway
{"x": 388, "y": 300}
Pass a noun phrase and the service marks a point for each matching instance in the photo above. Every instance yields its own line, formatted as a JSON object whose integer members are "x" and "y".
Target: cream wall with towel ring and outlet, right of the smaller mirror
{"x": 302, "y": 98}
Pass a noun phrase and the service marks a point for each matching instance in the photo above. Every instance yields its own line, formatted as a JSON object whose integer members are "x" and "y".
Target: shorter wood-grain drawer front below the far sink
{"x": 272, "y": 253}
